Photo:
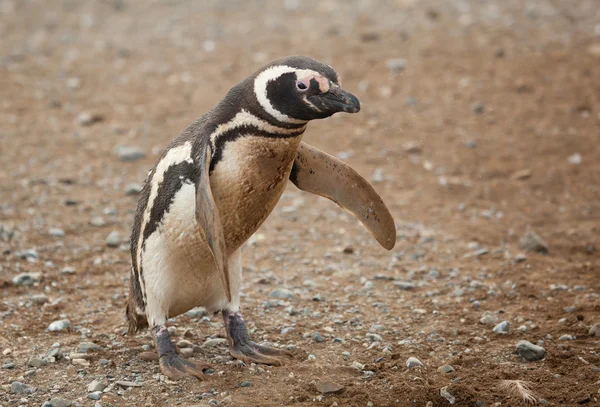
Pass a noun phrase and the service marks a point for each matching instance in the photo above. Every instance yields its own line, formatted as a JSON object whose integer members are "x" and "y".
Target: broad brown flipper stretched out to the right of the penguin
{"x": 322, "y": 174}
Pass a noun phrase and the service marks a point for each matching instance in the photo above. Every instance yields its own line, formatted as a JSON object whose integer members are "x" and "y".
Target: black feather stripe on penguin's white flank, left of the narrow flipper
{"x": 174, "y": 178}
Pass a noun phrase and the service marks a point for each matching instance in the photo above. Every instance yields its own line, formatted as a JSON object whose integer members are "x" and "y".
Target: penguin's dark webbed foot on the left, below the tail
{"x": 173, "y": 365}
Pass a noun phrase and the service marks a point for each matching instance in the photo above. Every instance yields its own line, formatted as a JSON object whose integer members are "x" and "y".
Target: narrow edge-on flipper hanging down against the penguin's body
{"x": 207, "y": 216}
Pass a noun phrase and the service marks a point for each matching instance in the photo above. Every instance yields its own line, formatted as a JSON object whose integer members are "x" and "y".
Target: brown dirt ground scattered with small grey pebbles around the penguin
{"x": 488, "y": 130}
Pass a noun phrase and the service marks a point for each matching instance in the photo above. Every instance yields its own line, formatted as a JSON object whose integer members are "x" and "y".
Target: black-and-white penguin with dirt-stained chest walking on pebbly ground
{"x": 215, "y": 185}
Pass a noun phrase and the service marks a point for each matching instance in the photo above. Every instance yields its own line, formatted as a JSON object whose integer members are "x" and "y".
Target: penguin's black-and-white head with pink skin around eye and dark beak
{"x": 299, "y": 89}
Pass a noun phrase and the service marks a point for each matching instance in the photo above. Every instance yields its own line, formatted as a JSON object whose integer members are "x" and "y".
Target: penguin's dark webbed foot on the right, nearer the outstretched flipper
{"x": 243, "y": 348}
